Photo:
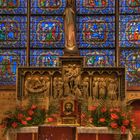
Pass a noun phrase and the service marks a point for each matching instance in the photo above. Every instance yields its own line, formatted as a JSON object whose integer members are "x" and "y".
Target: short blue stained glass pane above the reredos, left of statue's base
{"x": 49, "y": 58}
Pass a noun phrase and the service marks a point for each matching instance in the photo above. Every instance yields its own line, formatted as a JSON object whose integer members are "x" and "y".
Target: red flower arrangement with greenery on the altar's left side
{"x": 23, "y": 116}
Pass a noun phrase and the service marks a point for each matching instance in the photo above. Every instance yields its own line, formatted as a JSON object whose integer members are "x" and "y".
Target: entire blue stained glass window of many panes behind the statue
{"x": 95, "y": 35}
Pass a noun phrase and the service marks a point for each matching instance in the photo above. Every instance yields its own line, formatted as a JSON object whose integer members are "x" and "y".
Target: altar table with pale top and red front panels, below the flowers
{"x": 45, "y": 132}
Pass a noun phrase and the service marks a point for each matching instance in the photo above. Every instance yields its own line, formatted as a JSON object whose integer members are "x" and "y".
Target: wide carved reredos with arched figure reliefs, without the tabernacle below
{"x": 72, "y": 78}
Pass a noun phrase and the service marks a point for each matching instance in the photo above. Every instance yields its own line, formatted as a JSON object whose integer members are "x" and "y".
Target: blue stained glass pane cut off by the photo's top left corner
{"x": 13, "y": 6}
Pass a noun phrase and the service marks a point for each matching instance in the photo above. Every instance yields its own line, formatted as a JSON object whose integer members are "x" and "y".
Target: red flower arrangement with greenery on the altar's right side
{"x": 104, "y": 115}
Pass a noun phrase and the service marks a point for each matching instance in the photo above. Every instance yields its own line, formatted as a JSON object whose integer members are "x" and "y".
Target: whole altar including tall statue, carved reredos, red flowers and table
{"x": 72, "y": 97}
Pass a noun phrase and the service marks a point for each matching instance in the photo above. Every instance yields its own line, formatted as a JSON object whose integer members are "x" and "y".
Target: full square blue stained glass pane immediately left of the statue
{"x": 47, "y": 32}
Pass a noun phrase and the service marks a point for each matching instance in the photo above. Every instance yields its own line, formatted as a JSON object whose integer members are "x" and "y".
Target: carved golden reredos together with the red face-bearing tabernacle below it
{"x": 71, "y": 84}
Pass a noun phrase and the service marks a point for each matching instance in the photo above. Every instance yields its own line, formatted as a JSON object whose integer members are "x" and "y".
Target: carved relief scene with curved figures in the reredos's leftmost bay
{"x": 37, "y": 85}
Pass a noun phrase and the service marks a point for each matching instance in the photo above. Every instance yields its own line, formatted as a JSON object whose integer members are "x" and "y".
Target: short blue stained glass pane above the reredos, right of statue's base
{"x": 99, "y": 58}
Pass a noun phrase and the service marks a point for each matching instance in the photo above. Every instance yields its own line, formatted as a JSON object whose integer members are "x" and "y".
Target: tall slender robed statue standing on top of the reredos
{"x": 69, "y": 27}
